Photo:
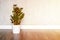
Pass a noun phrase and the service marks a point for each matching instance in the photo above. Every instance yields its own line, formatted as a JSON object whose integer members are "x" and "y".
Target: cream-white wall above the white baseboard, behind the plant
{"x": 36, "y": 11}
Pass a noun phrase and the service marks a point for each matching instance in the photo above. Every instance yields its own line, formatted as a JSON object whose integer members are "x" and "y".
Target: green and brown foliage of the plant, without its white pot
{"x": 17, "y": 16}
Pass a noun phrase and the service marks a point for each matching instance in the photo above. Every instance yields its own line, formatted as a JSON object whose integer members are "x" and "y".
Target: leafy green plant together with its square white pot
{"x": 16, "y": 18}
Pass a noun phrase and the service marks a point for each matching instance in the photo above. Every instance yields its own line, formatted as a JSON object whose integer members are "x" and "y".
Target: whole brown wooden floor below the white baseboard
{"x": 30, "y": 34}
